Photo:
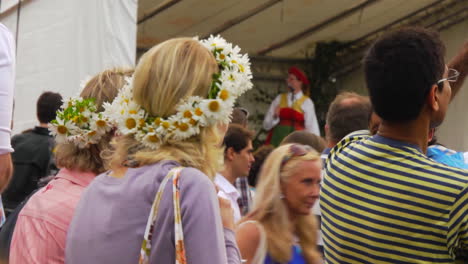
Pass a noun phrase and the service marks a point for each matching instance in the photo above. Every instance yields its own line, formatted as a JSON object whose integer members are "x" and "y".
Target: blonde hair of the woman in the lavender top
{"x": 173, "y": 70}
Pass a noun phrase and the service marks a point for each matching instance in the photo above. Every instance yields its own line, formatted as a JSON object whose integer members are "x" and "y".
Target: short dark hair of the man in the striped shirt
{"x": 400, "y": 69}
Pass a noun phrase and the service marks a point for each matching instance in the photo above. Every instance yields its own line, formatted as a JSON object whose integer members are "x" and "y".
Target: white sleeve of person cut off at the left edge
{"x": 7, "y": 81}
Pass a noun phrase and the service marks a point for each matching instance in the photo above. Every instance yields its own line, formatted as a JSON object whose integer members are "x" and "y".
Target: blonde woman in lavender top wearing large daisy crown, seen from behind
{"x": 158, "y": 204}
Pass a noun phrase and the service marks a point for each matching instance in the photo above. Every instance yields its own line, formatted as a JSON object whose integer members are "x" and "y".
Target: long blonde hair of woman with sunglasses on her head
{"x": 272, "y": 212}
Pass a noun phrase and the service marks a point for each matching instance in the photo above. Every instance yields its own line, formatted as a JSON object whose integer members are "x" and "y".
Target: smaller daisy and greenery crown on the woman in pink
{"x": 79, "y": 122}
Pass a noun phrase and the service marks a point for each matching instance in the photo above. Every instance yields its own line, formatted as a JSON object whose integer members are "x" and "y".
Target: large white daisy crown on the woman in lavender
{"x": 233, "y": 79}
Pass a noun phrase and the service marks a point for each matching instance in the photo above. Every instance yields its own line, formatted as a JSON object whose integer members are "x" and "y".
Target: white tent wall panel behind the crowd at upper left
{"x": 60, "y": 43}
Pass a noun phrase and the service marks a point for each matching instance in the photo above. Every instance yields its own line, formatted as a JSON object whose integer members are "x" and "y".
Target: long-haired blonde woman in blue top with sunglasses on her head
{"x": 281, "y": 228}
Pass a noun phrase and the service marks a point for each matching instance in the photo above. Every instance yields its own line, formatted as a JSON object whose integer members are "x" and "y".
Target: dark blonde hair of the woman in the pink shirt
{"x": 103, "y": 87}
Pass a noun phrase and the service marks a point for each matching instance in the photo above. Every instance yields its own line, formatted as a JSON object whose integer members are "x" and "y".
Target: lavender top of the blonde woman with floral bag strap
{"x": 110, "y": 219}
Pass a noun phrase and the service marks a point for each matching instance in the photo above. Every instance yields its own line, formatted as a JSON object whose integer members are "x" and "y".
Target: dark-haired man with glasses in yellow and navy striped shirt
{"x": 382, "y": 199}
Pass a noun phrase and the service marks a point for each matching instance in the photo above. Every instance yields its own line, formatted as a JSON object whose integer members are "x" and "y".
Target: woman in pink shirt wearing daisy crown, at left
{"x": 81, "y": 134}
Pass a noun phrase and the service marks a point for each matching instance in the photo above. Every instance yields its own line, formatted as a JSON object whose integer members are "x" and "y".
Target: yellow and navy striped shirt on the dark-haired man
{"x": 384, "y": 201}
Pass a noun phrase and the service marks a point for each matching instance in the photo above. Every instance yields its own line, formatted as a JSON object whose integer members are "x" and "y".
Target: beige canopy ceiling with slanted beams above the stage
{"x": 286, "y": 28}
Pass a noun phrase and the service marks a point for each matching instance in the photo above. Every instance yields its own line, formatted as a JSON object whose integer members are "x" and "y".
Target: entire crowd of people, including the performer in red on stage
{"x": 157, "y": 165}
